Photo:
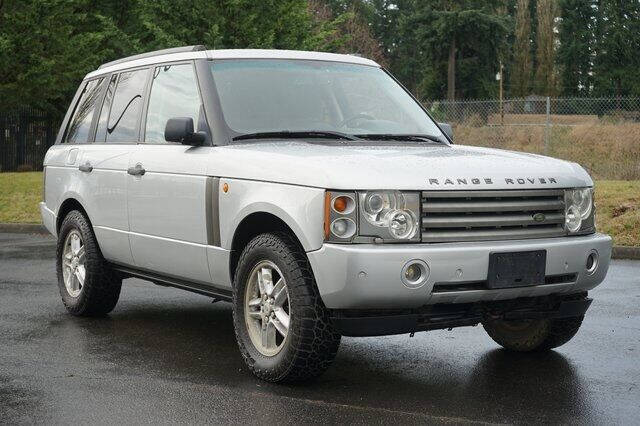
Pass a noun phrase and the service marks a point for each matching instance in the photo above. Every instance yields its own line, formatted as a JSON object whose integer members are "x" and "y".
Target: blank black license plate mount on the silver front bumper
{"x": 516, "y": 269}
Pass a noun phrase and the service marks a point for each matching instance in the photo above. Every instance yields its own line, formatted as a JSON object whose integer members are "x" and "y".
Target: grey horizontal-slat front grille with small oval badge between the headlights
{"x": 450, "y": 216}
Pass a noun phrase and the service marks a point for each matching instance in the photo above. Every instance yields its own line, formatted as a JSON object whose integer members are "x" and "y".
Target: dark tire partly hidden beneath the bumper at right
{"x": 532, "y": 335}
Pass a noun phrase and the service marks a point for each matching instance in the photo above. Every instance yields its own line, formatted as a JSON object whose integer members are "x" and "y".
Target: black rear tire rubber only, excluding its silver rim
{"x": 101, "y": 289}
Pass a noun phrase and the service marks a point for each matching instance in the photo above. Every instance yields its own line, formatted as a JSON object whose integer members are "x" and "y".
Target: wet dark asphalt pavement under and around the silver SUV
{"x": 167, "y": 356}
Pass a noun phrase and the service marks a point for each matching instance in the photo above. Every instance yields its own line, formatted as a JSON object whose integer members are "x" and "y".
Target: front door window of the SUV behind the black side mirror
{"x": 174, "y": 93}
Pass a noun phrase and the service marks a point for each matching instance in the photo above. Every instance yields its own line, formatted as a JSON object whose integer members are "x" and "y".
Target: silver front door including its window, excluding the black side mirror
{"x": 167, "y": 202}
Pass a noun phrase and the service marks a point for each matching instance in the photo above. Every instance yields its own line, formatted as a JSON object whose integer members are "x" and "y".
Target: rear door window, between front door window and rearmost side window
{"x": 125, "y": 110}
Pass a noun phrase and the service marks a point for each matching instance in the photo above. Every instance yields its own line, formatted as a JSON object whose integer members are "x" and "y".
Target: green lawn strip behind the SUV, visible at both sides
{"x": 618, "y": 204}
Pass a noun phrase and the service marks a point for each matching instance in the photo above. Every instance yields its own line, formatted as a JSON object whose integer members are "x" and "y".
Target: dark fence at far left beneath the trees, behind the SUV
{"x": 25, "y": 137}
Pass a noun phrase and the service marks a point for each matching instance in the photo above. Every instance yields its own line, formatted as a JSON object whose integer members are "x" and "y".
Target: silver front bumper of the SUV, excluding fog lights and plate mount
{"x": 369, "y": 276}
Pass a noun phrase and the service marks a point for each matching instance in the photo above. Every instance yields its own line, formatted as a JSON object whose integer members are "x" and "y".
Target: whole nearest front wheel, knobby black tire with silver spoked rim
{"x": 282, "y": 327}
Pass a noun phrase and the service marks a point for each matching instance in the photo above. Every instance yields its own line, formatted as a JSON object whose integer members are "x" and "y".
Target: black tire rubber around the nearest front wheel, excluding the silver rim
{"x": 311, "y": 343}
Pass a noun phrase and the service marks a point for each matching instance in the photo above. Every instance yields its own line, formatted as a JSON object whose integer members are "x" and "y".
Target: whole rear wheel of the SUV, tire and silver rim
{"x": 88, "y": 286}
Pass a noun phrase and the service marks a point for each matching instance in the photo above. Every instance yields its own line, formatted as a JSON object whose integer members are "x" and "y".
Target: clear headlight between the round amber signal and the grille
{"x": 390, "y": 215}
